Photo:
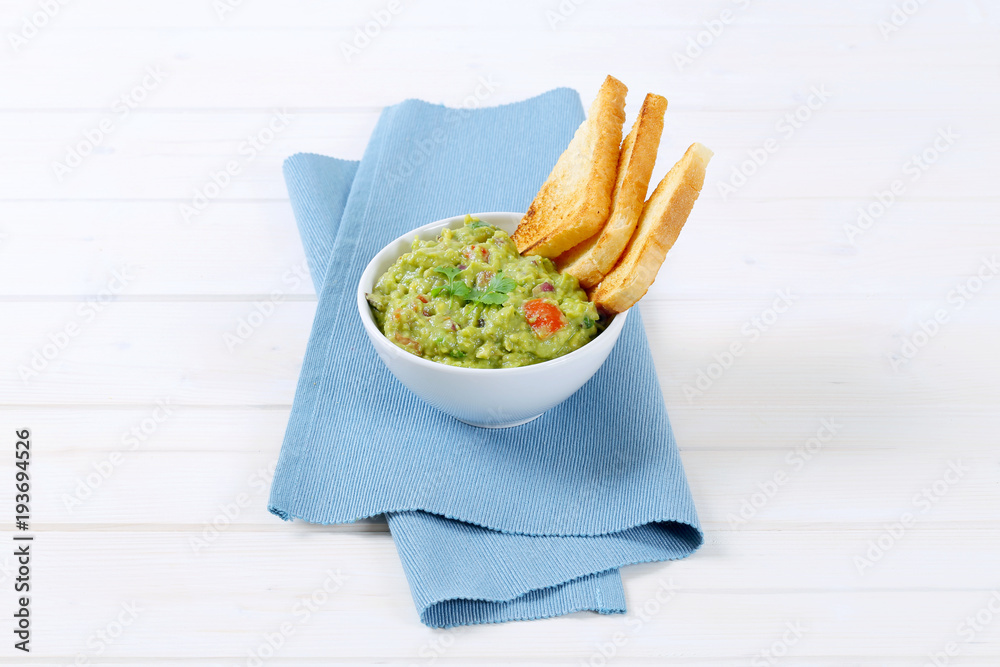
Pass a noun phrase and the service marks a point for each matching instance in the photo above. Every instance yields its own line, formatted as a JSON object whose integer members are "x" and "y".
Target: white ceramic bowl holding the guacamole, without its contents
{"x": 487, "y": 397}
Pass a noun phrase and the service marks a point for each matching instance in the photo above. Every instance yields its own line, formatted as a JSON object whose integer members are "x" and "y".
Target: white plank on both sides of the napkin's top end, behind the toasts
{"x": 185, "y": 149}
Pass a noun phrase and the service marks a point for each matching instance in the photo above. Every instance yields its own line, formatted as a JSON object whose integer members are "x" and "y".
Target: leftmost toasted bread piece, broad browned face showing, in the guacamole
{"x": 575, "y": 200}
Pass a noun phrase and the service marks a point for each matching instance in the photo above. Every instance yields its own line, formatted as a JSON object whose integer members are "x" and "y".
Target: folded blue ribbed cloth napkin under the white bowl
{"x": 491, "y": 525}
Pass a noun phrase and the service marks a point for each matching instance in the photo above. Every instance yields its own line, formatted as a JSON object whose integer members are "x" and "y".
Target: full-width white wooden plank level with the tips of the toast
{"x": 926, "y": 66}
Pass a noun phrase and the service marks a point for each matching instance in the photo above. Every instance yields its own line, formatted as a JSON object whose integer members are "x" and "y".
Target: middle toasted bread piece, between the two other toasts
{"x": 591, "y": 260}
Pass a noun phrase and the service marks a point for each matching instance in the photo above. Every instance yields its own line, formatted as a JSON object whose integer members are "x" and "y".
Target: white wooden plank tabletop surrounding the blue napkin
{"x": 836, "y": 354}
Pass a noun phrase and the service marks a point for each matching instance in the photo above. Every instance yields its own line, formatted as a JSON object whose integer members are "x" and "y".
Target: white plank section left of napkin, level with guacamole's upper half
{"x": 235, "y": 250}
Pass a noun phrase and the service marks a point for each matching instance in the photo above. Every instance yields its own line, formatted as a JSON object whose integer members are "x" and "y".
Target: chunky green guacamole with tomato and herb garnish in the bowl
{"x": 467, "y": 298}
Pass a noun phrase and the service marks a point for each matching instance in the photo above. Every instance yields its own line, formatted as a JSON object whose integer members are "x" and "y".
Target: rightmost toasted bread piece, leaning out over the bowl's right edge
{"x": 659, "y": 225}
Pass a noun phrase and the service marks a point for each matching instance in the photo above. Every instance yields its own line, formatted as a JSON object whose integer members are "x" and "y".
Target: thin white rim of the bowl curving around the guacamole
{"x": 374, "y": 334}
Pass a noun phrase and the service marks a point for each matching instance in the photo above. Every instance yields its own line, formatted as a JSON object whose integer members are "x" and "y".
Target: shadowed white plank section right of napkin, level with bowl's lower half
{"x": 817, "y": 353}
